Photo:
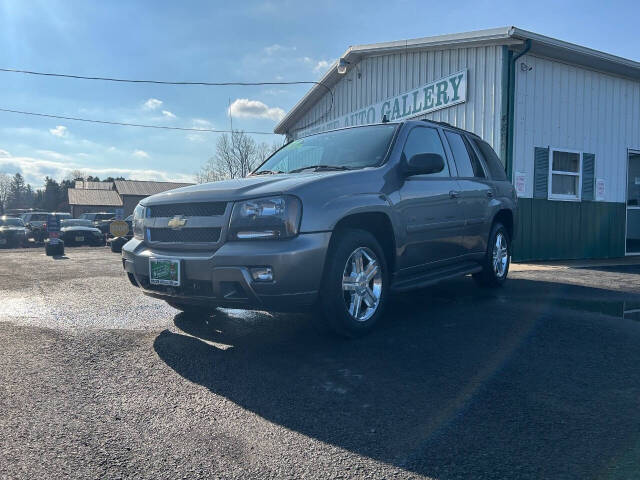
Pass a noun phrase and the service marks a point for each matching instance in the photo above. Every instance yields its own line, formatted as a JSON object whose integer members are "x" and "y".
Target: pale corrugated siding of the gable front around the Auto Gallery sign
{"x": 385, "y": 76}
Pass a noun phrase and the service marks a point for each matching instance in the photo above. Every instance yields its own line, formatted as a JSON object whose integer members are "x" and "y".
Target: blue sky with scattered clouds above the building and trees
{"x": 216, "y": 41}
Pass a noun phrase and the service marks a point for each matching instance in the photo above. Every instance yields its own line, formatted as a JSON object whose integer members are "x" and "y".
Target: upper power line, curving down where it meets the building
{"x": 164, "y": 82}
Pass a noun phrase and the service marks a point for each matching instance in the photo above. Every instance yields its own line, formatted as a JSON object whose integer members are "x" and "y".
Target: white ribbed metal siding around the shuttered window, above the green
{"x": 565, "y": 106}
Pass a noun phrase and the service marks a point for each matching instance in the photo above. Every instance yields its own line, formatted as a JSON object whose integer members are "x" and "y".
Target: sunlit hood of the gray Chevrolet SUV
{"x": 239, "y": 189}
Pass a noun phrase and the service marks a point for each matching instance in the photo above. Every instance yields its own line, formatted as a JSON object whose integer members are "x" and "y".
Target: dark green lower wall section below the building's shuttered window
{"x": 557, "y": 230}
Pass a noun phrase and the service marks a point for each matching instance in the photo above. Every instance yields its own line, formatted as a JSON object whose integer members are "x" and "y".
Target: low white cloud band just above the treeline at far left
{"x": 35, "y": 169}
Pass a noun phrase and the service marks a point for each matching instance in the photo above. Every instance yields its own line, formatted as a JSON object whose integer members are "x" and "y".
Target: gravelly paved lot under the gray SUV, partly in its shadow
{"x": 539, "y": 379}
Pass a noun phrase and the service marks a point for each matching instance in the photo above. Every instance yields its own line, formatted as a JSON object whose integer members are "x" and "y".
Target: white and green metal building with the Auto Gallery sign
{"x": 565, "y": 120}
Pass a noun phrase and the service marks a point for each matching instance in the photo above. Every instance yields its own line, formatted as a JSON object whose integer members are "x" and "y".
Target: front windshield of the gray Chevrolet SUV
{"x": 350, "y": 148}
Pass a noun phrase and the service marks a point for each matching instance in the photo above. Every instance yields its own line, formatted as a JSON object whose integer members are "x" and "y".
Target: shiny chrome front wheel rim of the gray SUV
{"x": 362, "y": 284}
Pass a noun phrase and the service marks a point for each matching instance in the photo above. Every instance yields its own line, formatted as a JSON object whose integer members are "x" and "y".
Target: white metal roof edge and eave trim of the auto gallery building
{"x": 540, "y": 44}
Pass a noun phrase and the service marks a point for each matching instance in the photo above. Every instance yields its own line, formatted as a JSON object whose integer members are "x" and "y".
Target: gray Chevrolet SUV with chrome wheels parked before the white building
{"x": 337, "y": 221}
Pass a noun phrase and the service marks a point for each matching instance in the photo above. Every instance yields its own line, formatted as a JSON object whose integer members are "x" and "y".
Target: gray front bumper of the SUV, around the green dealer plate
{"x": 222, "y": 277}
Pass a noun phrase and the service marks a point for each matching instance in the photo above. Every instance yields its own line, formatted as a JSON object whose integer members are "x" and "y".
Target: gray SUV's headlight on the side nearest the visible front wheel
{"x": 265, "y": 218}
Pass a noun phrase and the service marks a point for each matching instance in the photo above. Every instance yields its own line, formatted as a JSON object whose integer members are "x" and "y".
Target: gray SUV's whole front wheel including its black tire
{"x": 334, "y": 299}
